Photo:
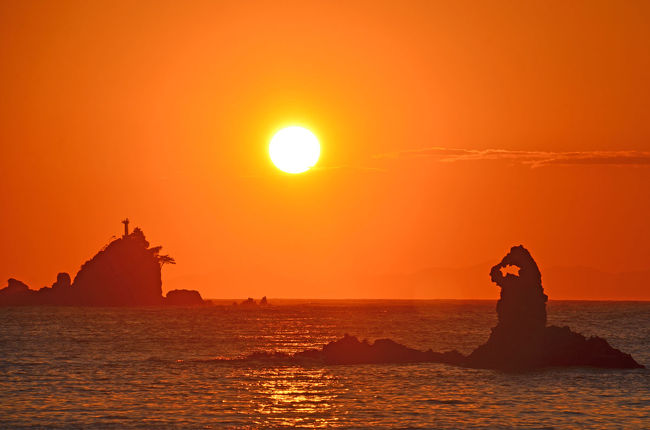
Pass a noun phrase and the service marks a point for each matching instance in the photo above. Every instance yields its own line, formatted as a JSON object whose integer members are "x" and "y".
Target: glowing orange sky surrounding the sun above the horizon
{"x": 162, "y": 111}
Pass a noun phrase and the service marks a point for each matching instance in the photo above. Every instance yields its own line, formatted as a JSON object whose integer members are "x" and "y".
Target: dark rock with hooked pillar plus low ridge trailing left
{"x": 520, "y": 341}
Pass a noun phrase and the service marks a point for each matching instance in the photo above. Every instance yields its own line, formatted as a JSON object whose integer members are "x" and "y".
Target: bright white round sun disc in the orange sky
{"x": 294, "y": 149}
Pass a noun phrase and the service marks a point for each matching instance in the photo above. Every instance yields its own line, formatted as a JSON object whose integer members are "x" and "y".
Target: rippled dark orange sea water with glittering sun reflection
{"x": 165, "y": 367}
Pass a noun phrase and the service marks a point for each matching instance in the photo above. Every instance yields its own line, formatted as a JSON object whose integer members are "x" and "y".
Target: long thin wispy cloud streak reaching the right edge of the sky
{"x": 531, "y": 158}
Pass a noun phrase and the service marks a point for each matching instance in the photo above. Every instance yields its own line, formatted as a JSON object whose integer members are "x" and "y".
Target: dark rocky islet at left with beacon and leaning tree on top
{"x": 125, "y": 272}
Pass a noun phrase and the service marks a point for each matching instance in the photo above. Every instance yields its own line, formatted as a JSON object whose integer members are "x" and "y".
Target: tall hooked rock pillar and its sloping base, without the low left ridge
{"x": 521, "y": 339}
